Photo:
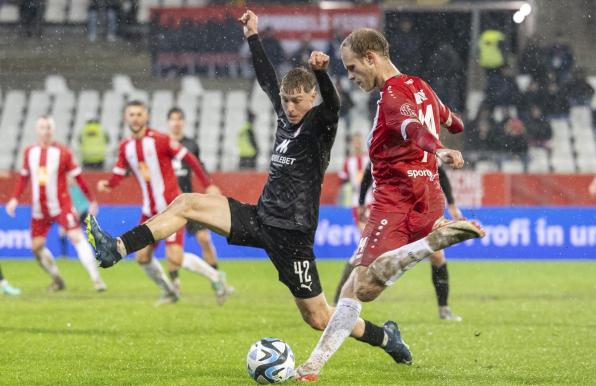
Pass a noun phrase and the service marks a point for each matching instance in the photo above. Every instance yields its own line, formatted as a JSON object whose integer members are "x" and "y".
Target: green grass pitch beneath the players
{"x": 524, "y": 323}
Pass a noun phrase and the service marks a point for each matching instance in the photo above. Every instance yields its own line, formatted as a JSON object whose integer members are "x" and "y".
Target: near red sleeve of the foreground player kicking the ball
{"x": 400, "y": 116}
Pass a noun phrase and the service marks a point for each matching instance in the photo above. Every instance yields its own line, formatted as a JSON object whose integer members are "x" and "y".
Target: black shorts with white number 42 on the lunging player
{"x": 290, "y": 251}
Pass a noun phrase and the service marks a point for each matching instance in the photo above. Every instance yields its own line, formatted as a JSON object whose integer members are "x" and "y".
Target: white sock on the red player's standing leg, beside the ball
{"x": 339, "y": 328}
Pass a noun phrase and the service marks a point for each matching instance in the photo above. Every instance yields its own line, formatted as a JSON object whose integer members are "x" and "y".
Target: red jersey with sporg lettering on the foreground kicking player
{"x": 405, "y": 176}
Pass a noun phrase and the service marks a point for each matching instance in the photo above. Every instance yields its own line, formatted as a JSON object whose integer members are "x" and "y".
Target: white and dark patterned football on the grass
{"x": 270, "y": 360}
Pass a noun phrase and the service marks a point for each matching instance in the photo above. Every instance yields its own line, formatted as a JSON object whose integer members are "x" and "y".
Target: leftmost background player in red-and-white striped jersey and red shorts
{"x": 48, "y": 164}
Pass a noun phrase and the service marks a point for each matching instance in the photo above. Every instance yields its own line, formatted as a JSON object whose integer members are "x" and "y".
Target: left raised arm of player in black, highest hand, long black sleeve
{"x": 264, "y": 70}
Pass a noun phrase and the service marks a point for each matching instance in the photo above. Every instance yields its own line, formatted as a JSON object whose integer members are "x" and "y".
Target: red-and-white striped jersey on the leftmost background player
{"x": 48, "y": 168}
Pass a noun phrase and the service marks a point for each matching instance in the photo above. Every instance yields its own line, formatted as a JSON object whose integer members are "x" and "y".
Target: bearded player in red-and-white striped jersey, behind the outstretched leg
{"x": 149, "y": 155}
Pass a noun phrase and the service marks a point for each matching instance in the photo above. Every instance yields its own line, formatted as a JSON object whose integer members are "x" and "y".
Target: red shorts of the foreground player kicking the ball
{"x": 385, "y": 231}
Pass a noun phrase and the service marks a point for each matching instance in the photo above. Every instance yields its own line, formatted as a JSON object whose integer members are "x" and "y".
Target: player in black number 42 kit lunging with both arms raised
{"x": 285, "y": 218}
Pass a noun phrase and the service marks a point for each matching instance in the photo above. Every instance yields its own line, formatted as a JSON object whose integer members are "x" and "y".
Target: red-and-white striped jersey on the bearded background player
{"x": 150, "y": 160}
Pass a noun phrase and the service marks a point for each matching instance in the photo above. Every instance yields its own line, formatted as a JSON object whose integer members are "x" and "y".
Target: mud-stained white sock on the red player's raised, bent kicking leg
{"x": 391, "y": 265}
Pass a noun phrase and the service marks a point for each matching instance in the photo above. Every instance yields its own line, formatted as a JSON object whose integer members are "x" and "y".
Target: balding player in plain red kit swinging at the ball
{"x": 407, "y": 201}
